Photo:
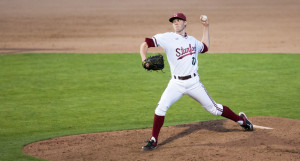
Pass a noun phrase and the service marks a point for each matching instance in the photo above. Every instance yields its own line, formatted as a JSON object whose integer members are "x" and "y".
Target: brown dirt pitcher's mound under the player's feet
{"x": 210, "y": 140}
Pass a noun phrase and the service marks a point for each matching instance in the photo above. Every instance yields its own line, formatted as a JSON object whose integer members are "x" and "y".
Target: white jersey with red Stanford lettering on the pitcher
{"x": 182, "y": 52}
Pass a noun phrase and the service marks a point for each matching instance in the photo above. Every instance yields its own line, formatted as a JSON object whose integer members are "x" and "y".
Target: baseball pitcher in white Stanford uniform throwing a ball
{"x": 182, "y": 54}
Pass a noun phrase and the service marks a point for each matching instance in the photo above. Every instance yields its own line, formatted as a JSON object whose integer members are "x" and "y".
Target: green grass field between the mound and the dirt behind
{"x": 50, "y": 95}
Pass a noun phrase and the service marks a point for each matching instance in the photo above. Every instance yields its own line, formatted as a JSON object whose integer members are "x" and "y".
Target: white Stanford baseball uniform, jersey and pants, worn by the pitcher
{"x": 182, "y": 54}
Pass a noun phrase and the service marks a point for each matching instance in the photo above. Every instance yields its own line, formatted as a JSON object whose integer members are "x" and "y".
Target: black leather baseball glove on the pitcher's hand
{"x": 154, "y": 62}
